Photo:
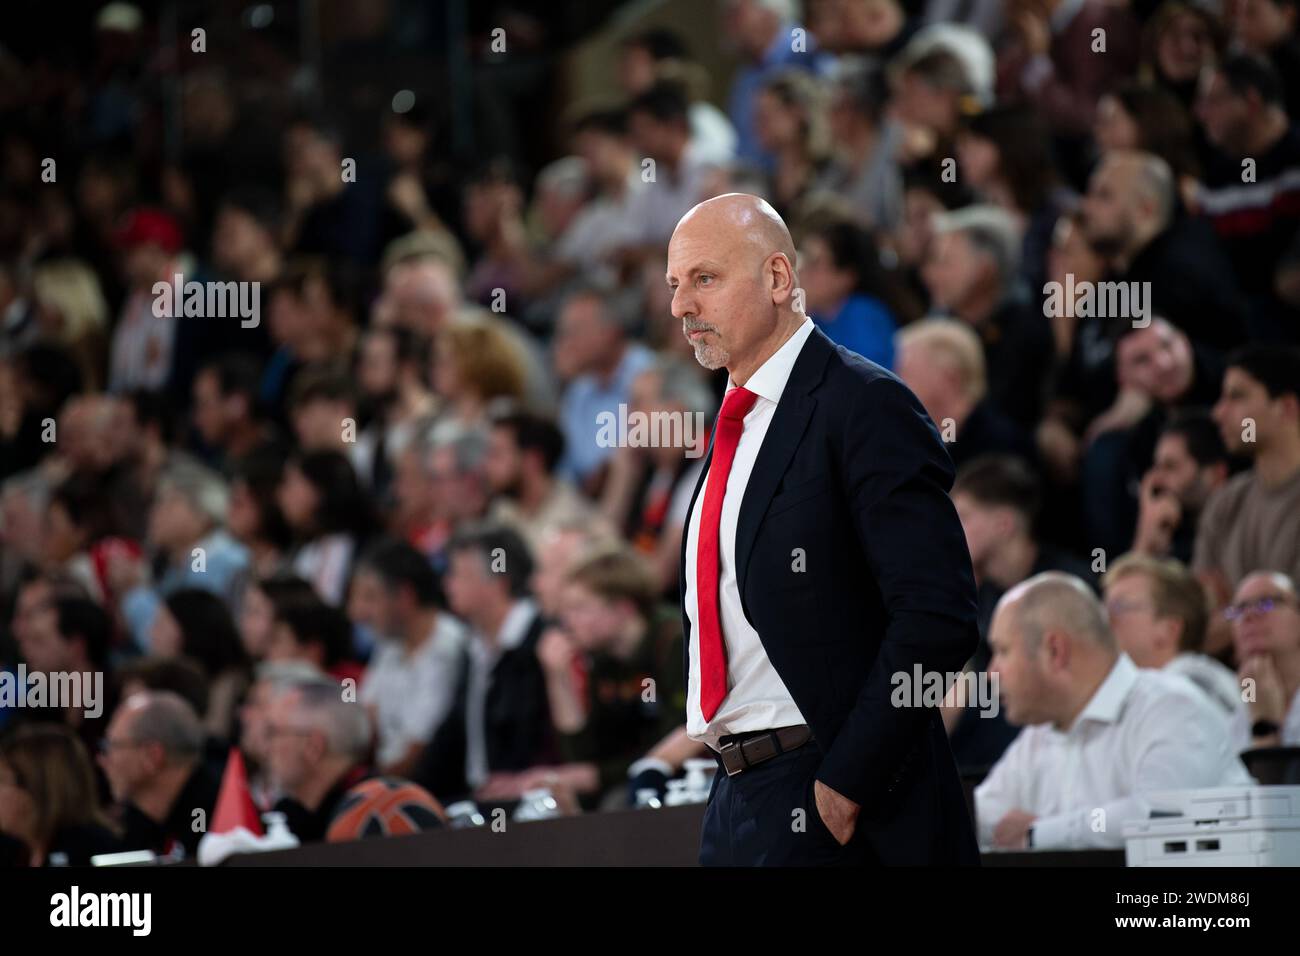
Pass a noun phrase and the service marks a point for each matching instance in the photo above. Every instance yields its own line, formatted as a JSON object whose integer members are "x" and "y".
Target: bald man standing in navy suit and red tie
{"x": 821, "y": 559}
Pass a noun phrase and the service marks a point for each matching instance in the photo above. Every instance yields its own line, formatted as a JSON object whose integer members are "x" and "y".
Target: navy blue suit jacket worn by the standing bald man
{"x": 853, "y": 481}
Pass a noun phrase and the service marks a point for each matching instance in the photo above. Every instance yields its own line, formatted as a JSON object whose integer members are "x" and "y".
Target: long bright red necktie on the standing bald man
{"x": 713, "y": 652}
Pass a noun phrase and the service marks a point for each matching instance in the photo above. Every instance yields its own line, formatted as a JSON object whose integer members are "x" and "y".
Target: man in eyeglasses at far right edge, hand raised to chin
{"x": 1266, "y": 621}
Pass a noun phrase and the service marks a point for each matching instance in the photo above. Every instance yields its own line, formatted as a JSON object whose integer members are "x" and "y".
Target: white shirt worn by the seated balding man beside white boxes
{"x": 1142, "y": 732}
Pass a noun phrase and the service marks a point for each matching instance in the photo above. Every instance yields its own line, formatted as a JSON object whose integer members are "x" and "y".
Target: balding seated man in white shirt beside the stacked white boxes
{"x": 1100, "y": 736}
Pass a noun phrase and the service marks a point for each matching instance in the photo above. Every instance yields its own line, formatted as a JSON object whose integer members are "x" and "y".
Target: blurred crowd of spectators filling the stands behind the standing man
{"x": 457, "y": 217}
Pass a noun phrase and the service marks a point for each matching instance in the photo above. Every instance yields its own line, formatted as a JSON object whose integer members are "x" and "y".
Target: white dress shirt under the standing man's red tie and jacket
{"x": 757, "y": 698}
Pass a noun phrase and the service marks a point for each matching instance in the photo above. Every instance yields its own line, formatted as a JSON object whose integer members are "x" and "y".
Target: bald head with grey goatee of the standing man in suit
{"x": 731, "y": 270}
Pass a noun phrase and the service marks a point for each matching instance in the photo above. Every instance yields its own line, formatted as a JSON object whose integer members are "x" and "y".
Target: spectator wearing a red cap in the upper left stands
{"x": 145, "y": 344}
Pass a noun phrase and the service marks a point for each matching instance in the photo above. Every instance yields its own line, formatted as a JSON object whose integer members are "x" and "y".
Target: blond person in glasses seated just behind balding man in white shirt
{"x": 1158, "y": 613}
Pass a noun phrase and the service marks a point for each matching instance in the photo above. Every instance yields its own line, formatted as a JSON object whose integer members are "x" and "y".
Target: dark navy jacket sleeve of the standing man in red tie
{"x": 896, "y": 475}
